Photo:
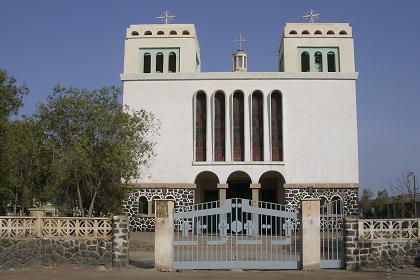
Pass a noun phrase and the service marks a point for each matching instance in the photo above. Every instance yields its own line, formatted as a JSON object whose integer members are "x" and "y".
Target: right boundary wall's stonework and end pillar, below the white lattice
{"x": 390, "y": 252}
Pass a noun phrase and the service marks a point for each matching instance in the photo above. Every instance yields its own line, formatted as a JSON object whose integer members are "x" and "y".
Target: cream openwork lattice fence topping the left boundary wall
{"x": 55, "y": 227}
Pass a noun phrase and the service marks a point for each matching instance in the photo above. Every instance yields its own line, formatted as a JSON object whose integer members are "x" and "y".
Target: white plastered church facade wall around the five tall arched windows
{"x": 319, "y": 113}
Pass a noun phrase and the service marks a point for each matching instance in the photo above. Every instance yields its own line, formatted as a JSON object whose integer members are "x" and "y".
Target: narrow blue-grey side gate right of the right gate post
{"x": 332, "y": 249}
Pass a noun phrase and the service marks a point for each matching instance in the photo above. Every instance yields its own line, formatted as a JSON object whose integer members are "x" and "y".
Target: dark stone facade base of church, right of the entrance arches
{"x": 349, "y": 197}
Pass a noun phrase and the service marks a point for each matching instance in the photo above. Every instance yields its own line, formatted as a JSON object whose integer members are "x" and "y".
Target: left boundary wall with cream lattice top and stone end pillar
{"x": 50, "y": 241}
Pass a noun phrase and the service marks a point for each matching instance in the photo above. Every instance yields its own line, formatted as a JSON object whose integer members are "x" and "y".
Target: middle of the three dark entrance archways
{"x": 239, "y": 185}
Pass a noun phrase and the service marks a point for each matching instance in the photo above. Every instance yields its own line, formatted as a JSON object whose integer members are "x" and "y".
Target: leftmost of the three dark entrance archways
{"x": 206, "y": 187}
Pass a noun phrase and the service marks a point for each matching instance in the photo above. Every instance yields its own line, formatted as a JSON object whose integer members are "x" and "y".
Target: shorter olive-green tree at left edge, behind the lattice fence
{"x": 28, "y": 165}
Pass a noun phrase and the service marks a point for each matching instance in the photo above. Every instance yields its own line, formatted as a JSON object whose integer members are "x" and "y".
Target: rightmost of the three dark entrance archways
{"x": 272, "y": 187}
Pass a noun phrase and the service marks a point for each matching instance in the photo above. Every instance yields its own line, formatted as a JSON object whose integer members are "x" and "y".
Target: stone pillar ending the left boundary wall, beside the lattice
{"x": 120, "y": 241}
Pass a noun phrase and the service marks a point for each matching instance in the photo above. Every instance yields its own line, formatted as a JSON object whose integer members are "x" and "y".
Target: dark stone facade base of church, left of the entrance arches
{"x": 183, "y": 199}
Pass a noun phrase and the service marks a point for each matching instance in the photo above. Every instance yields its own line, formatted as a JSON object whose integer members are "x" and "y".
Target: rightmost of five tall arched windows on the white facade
{"x": 275, "y": 126}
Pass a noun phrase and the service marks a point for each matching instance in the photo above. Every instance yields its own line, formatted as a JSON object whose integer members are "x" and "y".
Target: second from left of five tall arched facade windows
{"x": 219, "y": 104}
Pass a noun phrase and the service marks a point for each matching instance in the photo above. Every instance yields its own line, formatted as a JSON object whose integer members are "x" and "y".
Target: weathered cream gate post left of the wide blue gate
{"x": 164, "y": 234}
